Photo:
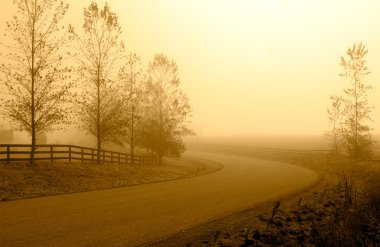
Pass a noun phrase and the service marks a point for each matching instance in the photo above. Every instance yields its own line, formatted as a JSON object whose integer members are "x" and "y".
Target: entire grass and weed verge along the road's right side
{"x": 338, "y": 211}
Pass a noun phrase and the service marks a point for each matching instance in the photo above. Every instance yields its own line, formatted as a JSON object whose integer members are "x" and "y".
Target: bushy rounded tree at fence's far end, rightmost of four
{"x": 167, "y": 109}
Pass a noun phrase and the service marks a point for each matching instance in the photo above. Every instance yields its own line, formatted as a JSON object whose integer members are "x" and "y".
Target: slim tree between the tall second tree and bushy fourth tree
{"x": 133, "y": 79}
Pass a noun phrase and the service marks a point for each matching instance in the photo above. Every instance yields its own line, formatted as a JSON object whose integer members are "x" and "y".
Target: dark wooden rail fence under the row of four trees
{"x": 21, "y": 152}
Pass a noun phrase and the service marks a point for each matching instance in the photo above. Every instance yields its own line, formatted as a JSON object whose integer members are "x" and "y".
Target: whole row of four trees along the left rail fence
{"x": 55, "y": 75}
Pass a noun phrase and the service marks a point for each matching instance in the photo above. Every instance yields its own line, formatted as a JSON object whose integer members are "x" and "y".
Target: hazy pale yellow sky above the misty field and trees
{"x": 254, "y": 66}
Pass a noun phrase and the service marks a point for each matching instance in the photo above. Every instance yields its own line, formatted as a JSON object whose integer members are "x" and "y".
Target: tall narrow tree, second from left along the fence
{"x": 98, "y": 55}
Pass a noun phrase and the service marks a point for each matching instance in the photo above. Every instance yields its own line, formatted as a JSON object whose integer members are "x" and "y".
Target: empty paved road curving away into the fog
{"x": 135, "y": 215}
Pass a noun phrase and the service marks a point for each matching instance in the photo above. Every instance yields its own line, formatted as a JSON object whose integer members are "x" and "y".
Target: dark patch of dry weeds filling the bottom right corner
{"x": 338, "y": 213}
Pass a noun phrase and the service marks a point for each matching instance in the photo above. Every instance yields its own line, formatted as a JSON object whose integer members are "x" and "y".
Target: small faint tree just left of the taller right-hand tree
{"x": 335, "y": 114}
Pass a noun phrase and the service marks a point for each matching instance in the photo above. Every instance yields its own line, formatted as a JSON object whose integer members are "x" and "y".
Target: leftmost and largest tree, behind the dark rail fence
{"x": 36, "y": 83}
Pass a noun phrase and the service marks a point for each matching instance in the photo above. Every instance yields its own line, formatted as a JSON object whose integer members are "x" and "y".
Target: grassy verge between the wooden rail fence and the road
{"x": 20, "y": 180}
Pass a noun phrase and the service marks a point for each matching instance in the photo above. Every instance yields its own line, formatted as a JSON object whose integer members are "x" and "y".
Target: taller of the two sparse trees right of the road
{"x": 357, "y": 110}
